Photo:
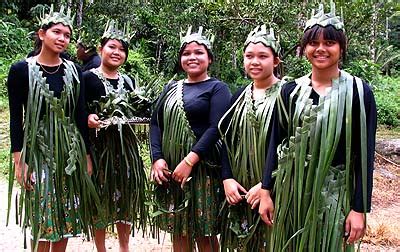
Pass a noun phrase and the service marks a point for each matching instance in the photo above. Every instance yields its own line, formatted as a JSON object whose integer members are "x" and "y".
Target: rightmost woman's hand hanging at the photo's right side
{"x": 354, "y": 226}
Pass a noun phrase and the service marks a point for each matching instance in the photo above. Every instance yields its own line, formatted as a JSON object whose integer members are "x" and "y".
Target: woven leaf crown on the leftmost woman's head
{"x": 57, "y": 17}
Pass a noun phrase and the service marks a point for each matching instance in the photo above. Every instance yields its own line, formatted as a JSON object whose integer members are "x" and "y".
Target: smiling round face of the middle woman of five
{"x": 195, "y": 61}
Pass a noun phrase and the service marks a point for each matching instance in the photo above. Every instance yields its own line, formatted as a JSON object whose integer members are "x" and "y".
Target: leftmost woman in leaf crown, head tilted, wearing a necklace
{"x": 49, "y": 154}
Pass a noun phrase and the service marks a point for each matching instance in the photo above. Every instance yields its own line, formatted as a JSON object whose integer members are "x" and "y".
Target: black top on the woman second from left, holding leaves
{"x": 94, "y": 88}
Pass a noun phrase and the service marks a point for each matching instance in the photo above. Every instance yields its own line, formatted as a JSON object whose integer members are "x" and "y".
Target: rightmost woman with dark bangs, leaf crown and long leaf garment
{"x": 323, "y": 152}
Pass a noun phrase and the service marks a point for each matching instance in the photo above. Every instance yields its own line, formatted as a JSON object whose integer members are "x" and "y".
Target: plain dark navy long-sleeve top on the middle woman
{"x": 204, "y": 103}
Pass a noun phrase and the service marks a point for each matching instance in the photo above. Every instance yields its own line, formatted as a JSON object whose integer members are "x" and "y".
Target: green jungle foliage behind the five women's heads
{"x": 372, "y": 27}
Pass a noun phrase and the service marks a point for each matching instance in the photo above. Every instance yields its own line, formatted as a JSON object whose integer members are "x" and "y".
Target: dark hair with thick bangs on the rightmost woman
{"x": 329, "y": 33}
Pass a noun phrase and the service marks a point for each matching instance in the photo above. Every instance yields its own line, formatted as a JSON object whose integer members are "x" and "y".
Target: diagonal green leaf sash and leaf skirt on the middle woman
{"x": 171, "y": 201}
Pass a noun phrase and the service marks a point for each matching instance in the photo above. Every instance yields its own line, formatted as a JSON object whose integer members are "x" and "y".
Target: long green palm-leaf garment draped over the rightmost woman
{"x": 312, "y": 197}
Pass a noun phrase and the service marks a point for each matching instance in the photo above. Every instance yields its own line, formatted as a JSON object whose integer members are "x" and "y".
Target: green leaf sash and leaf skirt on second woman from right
{"x": 246, "y": 133}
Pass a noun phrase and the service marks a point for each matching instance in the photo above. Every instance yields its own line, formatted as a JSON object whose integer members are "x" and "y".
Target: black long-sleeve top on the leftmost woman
{"x": 18, "y": 87}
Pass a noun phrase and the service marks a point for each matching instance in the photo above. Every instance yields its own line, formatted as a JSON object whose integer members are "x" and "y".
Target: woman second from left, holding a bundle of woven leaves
{"x": 119, "y": 173}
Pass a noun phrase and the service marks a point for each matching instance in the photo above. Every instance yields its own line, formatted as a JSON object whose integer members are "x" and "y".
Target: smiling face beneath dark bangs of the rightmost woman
{"x": 323, "y": 54}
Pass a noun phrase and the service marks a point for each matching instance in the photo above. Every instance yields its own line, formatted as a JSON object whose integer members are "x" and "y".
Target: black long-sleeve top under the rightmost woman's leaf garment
{"x": 279, "y": 132}
